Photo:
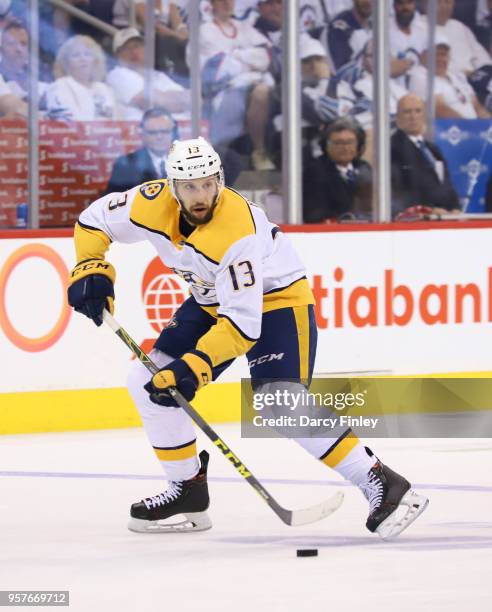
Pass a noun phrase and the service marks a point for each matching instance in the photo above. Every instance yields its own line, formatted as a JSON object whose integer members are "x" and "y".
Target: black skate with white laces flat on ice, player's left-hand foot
{"x": 187, "y": 497}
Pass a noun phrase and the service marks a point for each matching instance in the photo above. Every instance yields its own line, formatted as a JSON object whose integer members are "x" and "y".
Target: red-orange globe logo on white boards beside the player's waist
{"x": 162, "y": 294}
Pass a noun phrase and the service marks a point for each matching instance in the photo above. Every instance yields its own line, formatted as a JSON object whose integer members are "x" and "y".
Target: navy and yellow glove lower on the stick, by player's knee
{"x": 188, "y": 374}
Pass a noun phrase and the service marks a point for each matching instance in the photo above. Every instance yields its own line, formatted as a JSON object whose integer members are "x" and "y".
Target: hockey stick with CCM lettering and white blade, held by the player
{"x": 289, "y": 517}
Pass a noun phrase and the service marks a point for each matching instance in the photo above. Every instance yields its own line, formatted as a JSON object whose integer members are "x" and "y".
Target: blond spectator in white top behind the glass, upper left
{"x": 79, "y": 93}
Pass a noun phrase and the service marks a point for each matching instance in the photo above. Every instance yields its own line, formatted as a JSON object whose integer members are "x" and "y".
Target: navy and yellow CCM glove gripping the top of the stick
{"x": 91, "y": 288}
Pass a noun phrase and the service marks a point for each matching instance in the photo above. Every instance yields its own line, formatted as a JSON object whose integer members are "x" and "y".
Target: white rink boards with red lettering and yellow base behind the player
{"x": 390, "y": 300}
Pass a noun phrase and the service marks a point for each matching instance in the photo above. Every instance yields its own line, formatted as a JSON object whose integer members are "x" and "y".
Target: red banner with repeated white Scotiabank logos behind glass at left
{"x": 75, "y": 163}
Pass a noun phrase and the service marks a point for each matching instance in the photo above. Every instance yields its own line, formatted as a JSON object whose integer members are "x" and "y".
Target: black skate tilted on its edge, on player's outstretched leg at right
{"x": 387, "y": 492}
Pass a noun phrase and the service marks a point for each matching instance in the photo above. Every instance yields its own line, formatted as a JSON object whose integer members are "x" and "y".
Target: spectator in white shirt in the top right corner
{"x": 467, "y": 54}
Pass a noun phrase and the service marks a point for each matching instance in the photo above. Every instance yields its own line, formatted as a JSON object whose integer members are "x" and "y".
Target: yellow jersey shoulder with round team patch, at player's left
{"x": 151, "y": 201}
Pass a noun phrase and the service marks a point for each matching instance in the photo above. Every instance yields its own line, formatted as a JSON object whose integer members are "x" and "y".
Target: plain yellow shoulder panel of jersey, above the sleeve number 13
{"x": 232, "y": 221}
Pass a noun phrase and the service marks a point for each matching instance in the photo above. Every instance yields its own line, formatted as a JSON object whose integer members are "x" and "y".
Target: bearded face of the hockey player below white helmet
{"x": 198, "y": 199}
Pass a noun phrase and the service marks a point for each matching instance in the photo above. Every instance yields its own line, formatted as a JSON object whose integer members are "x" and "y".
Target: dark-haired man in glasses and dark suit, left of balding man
{"x": 338, "y": 183}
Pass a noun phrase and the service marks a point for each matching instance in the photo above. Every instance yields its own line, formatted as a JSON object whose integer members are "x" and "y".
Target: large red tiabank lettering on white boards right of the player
{"x": 395, "y": 303}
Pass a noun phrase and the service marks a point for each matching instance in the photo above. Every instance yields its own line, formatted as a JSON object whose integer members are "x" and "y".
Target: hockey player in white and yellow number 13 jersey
{"x": 249, "y": 295}
